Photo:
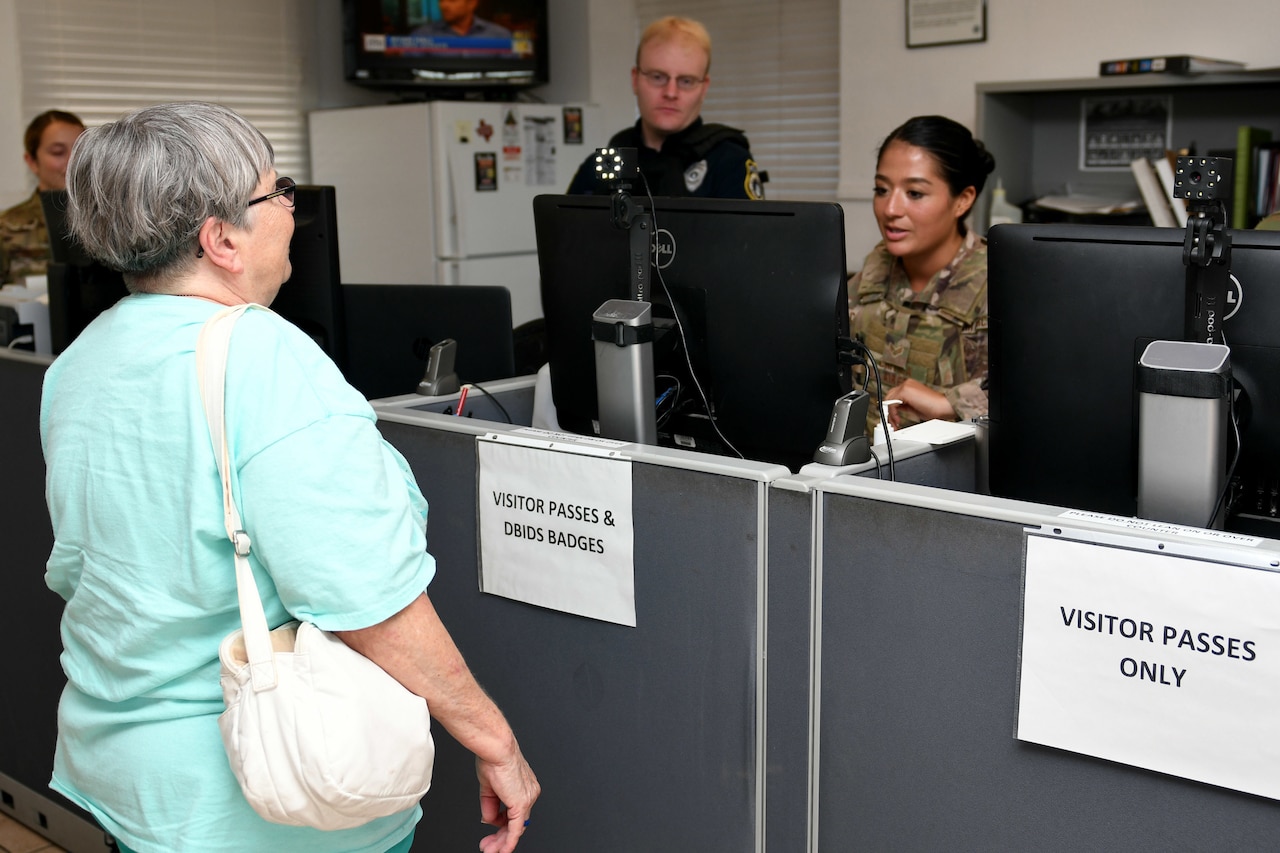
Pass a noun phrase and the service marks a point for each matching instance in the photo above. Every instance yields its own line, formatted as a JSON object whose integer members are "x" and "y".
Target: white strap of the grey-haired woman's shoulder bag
{"x": 212, "y": 349}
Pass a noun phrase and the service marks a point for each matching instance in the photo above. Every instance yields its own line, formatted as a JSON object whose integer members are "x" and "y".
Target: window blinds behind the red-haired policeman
{"x": 776, "y": 76}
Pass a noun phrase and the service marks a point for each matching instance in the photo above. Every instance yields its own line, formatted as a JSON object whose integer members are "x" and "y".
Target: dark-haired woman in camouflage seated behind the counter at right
{"x": 920, "y": 303}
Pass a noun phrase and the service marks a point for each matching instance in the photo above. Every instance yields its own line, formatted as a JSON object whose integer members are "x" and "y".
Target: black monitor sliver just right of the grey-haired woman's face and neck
{"x": 313, "y": 297}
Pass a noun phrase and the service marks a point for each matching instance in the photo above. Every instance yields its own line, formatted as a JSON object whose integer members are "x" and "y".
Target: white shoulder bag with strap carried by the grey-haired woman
{"x": 317, "y": 735}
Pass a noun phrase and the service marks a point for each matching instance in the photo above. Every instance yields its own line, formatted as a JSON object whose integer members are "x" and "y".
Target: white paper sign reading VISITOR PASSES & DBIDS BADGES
{"x": 556, "y": 528}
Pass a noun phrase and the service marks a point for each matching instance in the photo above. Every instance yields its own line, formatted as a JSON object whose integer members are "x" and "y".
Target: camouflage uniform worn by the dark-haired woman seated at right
{"x": 938, "y": 336}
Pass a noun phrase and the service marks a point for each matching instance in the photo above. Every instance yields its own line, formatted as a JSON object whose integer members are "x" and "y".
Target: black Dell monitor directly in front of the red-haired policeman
{"x": 761, "y": 289}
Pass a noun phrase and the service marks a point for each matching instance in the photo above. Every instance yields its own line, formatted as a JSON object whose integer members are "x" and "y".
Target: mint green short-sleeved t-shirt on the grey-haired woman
{"x": 143, "y": 560}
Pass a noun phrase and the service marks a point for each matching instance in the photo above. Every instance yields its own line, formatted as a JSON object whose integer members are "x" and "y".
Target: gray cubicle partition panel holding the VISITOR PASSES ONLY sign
{"x": 918, "y": 644}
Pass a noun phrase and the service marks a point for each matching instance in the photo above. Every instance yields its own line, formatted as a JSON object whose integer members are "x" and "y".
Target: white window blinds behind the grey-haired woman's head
{"x": 103, "y": 58}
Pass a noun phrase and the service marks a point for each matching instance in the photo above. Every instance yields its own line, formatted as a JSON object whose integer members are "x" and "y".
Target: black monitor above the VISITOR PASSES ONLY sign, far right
{"x": 1072, "y": 309}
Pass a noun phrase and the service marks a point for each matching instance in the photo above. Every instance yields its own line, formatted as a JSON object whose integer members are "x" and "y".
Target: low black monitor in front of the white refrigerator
{"x": 391, "y": 330}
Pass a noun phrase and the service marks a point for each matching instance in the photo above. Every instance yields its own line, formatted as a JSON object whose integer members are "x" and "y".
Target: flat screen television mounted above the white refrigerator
{"x": 417, "y": 45}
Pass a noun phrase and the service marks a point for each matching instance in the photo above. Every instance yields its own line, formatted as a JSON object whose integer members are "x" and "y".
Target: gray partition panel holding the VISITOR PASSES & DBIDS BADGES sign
{"x": 644, "y": 738}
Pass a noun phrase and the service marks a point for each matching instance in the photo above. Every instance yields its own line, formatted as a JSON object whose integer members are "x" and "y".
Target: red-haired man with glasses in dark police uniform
{"x": 680, "y": 154}
